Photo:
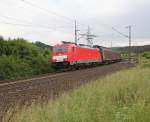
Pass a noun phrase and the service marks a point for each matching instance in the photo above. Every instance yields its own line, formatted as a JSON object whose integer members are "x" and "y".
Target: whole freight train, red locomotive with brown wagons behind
{"x": 69, "y": 54}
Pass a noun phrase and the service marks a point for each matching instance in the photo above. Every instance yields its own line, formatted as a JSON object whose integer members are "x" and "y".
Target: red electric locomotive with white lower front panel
{"x": 70, "y": 54}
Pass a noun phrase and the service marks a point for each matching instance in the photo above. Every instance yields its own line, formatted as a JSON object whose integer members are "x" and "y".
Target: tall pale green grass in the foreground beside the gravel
{"x": 120, "y": 97}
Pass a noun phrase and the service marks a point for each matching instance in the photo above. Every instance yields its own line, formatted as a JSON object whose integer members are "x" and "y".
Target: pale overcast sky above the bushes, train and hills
{"x": 52, "y": 21}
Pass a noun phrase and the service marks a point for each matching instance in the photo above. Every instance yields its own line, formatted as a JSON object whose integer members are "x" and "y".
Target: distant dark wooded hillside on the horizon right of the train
{"x": 134, "y": 49}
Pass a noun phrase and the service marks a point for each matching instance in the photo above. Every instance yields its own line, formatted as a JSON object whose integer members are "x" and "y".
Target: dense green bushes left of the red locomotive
{"x": 19, "y": 58}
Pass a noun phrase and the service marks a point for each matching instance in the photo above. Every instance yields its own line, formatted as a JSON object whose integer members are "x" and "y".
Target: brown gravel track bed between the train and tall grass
{"x": 46, "y": 87}
